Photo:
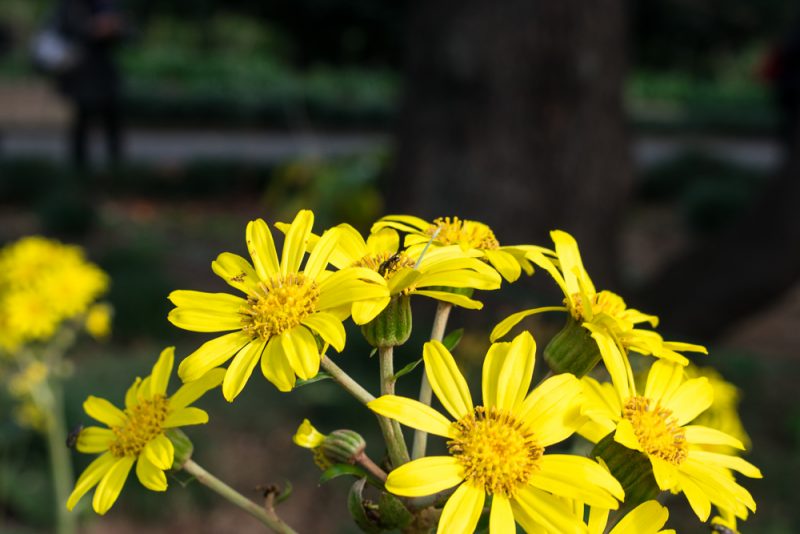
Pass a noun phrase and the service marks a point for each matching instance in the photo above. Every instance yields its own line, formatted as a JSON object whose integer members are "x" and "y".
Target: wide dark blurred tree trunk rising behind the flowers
{"x": 513, "y": 116}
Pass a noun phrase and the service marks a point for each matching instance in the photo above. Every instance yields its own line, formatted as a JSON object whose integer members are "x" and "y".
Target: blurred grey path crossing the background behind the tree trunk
{"x": 171, "y": 146}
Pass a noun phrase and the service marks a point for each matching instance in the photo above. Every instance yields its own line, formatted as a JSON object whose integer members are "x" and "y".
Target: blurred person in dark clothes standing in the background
{"x": 93, "y": 84}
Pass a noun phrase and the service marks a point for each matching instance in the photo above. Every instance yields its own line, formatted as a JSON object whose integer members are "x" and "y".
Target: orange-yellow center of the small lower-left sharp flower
{"x": 144, "y": 422}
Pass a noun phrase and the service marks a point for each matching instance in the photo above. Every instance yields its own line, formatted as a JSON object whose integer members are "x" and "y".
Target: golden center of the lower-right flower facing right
{"x": 657, "y": 430}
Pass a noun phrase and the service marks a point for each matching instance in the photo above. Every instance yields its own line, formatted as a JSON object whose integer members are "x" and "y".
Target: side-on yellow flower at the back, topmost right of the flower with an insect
{"x": 509, "y": 261}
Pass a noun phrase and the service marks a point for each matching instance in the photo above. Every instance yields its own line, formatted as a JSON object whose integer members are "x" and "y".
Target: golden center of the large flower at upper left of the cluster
{"x": 279, "y": 305}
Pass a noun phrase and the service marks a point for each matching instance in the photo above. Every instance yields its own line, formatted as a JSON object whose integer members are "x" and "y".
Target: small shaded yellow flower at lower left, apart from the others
{"x": 136, "y": 435}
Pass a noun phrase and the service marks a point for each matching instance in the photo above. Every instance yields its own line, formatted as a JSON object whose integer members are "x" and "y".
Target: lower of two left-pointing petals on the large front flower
{"x": 425, "y": 476}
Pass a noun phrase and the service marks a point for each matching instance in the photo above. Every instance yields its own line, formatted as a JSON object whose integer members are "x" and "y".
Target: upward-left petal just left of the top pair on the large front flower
{"x": 446, "y": 380}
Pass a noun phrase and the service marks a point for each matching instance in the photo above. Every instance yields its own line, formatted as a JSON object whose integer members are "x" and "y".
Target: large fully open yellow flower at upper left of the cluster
{"x": 284, "y": 308}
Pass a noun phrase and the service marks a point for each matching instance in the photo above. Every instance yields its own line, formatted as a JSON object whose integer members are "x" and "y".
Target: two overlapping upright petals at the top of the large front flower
{"x": 507, "y": 372}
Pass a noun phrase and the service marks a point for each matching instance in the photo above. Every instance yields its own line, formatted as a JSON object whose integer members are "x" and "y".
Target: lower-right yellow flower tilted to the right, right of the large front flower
{"x": 656, "y": 424}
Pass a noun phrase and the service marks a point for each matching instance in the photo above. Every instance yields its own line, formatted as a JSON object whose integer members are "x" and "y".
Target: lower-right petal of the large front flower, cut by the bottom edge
{"x": 539, "y": 511}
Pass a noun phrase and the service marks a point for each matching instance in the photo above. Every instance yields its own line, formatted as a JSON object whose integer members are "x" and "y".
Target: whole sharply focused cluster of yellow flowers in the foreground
{"x": 502, "y": 453}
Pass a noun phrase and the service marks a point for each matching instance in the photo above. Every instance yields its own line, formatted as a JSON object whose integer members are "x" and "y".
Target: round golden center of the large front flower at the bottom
{"x": 497, "y": 452}
